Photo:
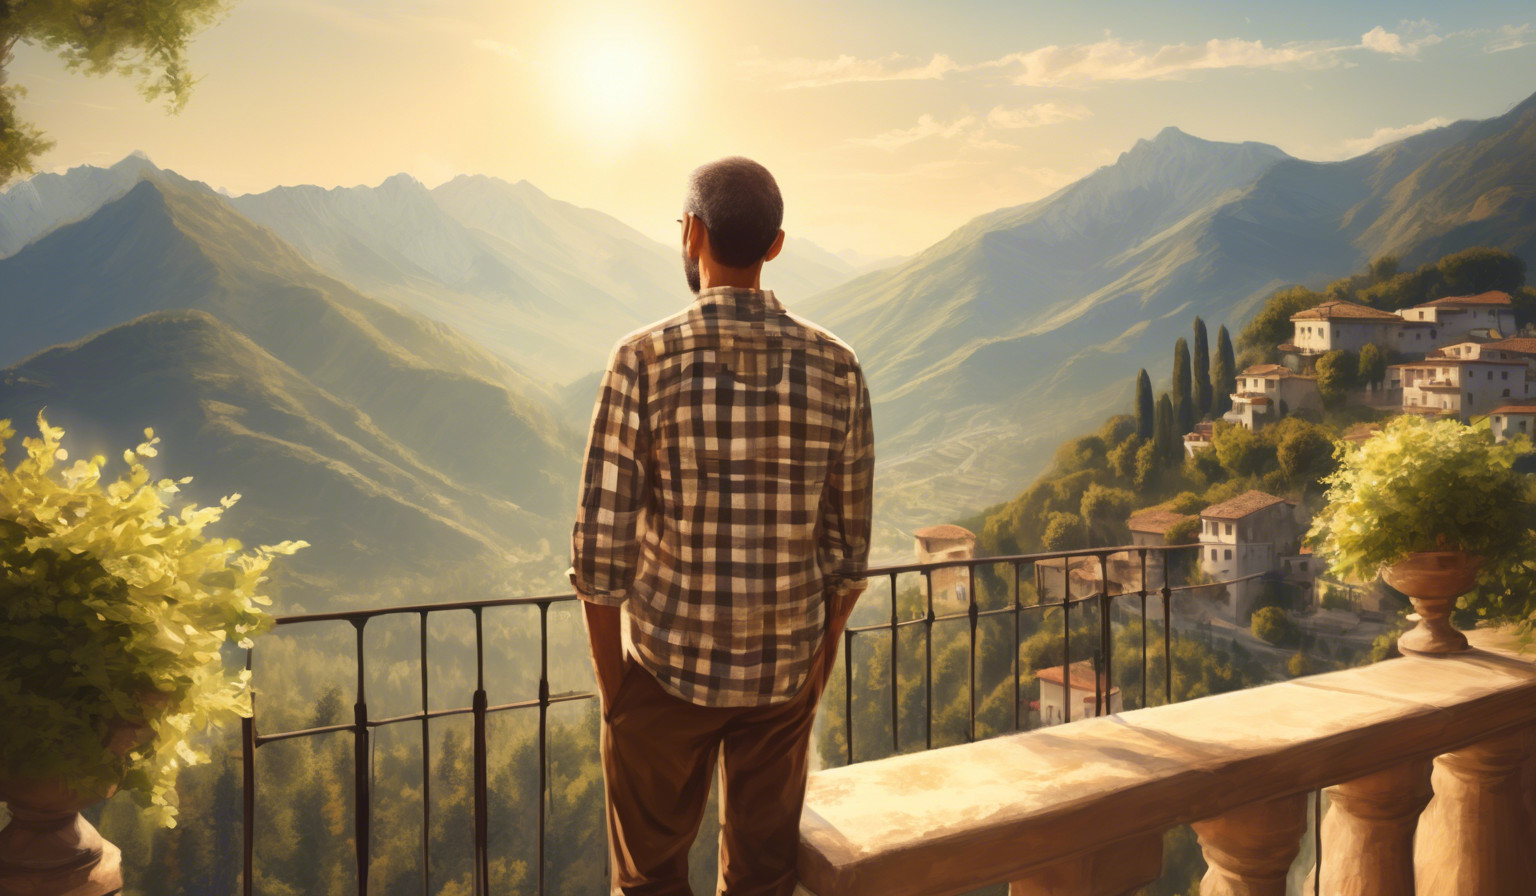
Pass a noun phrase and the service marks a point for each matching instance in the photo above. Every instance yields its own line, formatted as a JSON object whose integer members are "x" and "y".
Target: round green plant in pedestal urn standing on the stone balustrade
{"x": 1435, "y": 508}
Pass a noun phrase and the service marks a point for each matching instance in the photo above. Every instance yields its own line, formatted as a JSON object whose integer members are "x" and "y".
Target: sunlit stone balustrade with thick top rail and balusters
{"x": 1429, "y": 763}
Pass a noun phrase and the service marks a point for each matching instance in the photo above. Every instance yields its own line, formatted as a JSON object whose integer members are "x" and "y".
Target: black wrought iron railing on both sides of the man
{"x": 363, "y": 726}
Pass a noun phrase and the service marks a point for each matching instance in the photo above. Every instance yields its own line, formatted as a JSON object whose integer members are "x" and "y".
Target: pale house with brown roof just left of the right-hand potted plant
{"x": 1242, "y": 537}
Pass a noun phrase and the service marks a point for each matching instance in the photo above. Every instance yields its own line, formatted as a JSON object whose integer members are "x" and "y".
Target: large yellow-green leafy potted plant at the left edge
{"x": 113, "y": 617}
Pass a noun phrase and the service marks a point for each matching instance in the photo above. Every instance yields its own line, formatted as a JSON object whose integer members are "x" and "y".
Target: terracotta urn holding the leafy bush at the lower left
{"x": 50, "y": 849}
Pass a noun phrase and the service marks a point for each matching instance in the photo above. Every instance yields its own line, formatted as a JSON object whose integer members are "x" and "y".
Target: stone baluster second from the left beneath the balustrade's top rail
{"x": 1250, "y": 851}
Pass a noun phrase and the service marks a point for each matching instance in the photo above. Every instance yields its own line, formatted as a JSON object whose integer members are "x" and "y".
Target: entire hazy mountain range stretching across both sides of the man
{"x": 403, "y": 376}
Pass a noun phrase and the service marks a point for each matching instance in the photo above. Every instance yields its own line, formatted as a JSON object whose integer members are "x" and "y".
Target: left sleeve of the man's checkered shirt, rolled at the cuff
{"x": 604, "y": 542}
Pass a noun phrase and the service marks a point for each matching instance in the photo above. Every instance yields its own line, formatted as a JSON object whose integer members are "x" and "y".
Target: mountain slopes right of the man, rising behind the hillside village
{"x": 1028, "y": 325}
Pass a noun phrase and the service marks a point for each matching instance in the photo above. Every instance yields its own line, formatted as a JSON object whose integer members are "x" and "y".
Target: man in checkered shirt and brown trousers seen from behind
{"x": 726, "y": 506}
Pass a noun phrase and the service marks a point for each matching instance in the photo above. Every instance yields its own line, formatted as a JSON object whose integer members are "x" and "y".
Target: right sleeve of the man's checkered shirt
{"x": 847, "y": 503}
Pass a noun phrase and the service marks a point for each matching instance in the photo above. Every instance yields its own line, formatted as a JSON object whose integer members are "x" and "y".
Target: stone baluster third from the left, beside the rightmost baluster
{"x": 1368, "y": 832}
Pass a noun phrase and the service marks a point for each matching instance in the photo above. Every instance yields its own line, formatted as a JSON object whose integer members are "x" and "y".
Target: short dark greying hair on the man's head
{"x": 738, "y": 202}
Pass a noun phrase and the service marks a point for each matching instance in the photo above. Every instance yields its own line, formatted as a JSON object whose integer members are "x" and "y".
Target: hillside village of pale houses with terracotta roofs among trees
{"x": 1457, "y": 357}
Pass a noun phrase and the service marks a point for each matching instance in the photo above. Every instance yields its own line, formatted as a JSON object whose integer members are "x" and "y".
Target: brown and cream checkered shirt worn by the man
{"x": 726, "y": 494}
